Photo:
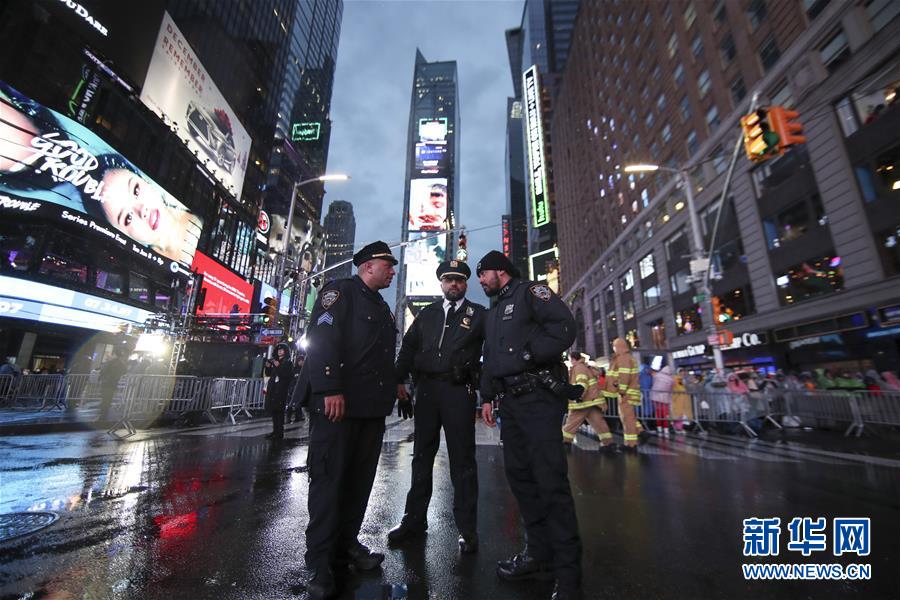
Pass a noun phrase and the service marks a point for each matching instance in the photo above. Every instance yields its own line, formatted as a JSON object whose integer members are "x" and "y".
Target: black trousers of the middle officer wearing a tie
{"x": 444, "y": 404}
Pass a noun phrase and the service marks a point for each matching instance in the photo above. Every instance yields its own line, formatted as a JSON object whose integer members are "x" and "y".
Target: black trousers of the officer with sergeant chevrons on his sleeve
{"x": 342, "y": 460}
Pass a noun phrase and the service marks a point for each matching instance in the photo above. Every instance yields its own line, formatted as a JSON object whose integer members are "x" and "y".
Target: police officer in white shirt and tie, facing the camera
{"x": 442, "y": 350}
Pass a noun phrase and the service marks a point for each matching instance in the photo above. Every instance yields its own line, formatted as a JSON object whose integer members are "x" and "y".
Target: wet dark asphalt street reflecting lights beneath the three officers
{"x": 219, "y": 512}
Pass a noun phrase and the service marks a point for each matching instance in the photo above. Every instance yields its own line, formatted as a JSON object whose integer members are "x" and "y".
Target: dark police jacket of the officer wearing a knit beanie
{"x": 527, "y": 318}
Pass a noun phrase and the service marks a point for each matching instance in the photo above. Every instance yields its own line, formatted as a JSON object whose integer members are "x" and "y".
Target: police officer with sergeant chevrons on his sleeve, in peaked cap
{"x": 350, "y": 361}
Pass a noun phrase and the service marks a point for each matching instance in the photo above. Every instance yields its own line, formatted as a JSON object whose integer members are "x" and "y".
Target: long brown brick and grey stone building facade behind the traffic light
{"x": 804, "y": 248}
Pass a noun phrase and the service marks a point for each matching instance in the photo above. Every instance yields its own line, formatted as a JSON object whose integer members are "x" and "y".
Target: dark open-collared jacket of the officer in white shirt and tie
{"x": 423, "y": 352}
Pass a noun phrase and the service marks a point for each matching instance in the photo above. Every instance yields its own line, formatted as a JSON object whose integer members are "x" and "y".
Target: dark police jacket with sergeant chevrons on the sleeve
{"x": 351, "y": 342}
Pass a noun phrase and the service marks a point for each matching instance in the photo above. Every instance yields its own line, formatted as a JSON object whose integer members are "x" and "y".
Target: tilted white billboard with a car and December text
{"x": 178, "y": 87}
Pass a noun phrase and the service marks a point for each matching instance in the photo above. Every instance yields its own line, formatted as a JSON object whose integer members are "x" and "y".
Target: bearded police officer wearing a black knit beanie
{"x": 527, "y": 330}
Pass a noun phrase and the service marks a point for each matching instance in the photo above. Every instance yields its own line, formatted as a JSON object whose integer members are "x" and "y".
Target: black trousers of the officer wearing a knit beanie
{"x": 537, "y": 471}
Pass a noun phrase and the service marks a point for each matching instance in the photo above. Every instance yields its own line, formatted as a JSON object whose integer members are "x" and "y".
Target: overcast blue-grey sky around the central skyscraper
{"x": 370, "y": 111}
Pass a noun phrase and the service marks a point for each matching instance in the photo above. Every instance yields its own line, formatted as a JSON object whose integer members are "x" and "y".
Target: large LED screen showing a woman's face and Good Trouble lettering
{"x": 54, "y": 167}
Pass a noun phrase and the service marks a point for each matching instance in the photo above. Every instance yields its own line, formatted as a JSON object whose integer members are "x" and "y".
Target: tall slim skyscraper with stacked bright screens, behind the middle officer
{"x": 432, "y": 182}
